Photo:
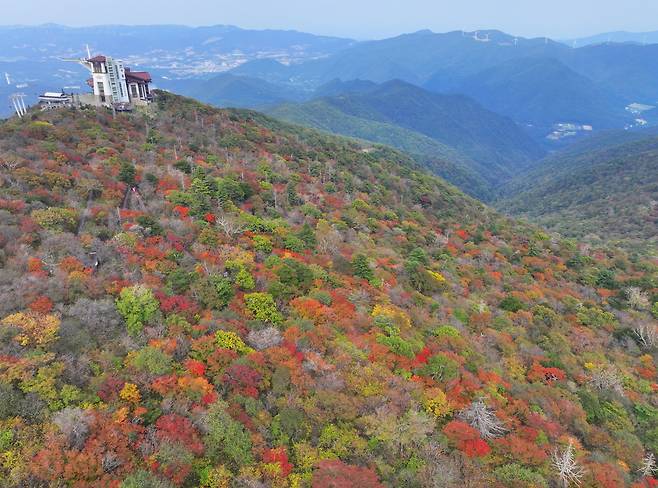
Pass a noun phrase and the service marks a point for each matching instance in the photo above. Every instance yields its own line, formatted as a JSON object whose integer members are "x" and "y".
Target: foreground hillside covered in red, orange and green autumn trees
{"x": 210, "y": 298}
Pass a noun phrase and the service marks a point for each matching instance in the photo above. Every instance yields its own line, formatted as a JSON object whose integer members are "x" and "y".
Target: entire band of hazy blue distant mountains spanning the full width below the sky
{"x": 537, "y": 82}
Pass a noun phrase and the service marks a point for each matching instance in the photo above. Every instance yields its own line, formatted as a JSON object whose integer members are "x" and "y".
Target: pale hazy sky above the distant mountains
{"x": 353, "y": 18}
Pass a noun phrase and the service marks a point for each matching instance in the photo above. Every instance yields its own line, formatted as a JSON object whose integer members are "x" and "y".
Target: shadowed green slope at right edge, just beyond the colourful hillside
{"x": 594, "y": 190}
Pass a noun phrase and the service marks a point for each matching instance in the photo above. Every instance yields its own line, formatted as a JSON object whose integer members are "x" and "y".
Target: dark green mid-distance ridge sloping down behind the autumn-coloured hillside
{"x": 483, "y": 147}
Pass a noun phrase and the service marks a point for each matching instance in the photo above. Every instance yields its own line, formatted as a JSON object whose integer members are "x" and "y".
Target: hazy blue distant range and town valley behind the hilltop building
{"x": 33, "y": 55}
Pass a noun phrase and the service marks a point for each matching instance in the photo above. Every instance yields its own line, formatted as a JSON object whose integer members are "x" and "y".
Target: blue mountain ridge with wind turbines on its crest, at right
{"x": 537, "y": 82}
